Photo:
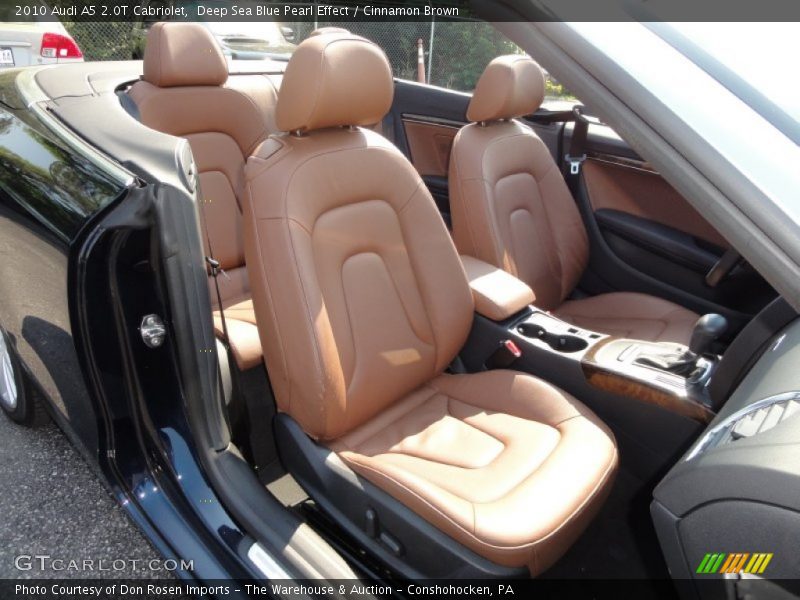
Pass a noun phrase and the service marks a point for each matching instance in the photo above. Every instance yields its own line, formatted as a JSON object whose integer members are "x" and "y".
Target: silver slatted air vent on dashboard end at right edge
{"x": 756, "y": 418}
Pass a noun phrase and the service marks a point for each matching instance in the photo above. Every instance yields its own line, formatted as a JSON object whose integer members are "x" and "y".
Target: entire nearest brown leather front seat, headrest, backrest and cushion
{"x": 362, "y": 303}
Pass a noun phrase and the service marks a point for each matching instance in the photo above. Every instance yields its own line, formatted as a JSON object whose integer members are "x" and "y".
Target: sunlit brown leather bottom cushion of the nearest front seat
{"x": 504, "y": 463}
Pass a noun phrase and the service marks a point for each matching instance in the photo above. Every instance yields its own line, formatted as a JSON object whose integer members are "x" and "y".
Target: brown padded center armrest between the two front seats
{"x": 497, "y": 294}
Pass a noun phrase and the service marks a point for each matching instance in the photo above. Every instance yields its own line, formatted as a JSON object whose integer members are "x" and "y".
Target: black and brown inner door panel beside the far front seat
{"x": 646, "y": 237}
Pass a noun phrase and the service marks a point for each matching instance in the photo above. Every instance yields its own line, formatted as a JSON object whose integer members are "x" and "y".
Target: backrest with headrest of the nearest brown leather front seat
{"x": 359, "y": 294}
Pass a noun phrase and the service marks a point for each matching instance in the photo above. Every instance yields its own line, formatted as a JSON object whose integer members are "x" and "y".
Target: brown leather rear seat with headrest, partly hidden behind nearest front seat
{"x": 186, "y": 92}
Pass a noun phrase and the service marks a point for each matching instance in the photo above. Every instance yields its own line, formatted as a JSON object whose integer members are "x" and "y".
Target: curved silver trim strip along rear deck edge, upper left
{"x": 35, "y": 98}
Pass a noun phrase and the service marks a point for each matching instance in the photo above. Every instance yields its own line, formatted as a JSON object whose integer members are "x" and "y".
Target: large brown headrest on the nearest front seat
{"x": 333, "y": 79}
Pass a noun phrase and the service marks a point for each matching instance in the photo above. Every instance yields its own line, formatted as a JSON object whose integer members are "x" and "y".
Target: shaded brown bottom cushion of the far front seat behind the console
{"x": 631, "y": 315}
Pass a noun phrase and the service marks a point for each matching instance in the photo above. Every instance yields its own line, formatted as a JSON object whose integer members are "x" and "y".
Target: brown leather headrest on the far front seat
{"x": 510, "y": 86}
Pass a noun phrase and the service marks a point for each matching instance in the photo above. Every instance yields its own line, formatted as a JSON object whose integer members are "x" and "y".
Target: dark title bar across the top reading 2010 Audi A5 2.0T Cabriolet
{"x": 343, "y": 11}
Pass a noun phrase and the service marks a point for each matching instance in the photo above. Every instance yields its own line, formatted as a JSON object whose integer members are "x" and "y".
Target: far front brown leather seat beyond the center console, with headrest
{"x": 511, "y": 208}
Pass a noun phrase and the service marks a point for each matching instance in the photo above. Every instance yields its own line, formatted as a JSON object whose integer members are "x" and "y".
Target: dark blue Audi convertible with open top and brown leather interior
{"x": 312, "y": 320}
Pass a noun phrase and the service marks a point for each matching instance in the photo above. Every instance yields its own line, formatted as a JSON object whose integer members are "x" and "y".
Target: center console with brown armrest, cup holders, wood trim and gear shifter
{"x": 654, "y": 396}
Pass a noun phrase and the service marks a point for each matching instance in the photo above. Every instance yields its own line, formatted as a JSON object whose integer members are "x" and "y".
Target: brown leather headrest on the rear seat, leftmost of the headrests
{"x": 183, "y": 54}
